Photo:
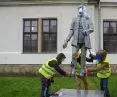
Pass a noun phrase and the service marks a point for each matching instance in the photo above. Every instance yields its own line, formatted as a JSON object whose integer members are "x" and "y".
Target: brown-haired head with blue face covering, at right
{"x": 101, "y": 55}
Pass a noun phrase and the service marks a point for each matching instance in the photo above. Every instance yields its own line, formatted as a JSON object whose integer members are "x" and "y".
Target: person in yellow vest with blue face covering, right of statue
{"x": 103, "y": 70}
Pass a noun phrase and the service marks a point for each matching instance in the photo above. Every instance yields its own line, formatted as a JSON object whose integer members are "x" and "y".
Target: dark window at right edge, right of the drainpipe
{"x": 110, "y": 36}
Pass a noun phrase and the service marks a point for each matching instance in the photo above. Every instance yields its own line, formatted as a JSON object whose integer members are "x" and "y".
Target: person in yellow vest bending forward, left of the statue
{"x": 47, "y": 72}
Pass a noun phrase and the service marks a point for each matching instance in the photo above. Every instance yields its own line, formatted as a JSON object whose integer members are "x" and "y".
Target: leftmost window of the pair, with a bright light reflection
{"x": 30, "y": 35}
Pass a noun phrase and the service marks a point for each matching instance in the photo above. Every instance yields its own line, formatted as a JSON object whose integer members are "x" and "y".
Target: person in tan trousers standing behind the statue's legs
{"x": 80, "y": 79}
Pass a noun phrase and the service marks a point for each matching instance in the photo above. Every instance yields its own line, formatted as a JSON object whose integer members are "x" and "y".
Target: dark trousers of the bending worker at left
{"x": 45, "y": 87}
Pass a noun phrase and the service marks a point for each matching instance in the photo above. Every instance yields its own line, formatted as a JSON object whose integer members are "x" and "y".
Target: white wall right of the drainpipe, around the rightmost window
{"x": 109, "y": 13}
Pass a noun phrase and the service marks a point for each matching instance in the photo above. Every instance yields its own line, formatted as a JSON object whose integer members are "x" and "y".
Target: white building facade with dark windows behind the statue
{"x": 34, "y": 31}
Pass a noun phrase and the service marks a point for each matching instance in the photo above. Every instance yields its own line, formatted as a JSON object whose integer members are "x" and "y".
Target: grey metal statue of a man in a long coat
{"x": 81, "y": 28}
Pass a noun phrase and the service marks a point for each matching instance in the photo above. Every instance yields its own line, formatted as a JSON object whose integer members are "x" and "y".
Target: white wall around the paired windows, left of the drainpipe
{"x": 11, "y": 32}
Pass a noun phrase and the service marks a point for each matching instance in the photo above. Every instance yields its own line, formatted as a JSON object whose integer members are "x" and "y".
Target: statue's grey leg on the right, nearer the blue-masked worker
{"x": 83, "y": 59}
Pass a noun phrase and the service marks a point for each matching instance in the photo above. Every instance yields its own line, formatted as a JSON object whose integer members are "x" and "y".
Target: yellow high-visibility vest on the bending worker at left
{"x": 47, "y": 71}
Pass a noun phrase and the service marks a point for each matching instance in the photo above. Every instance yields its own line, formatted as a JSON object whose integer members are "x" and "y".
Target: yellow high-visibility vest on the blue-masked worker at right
{"x": 105, "y": 72}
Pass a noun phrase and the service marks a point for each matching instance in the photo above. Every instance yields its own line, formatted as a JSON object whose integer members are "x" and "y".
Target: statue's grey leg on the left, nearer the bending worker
{"x": 74, "y": 60}
